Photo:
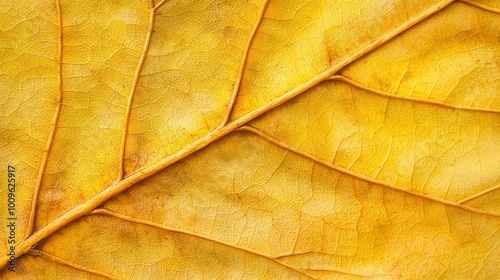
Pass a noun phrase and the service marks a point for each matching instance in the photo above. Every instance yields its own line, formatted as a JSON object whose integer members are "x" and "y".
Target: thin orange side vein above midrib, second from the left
{"x": 138, "y": 71}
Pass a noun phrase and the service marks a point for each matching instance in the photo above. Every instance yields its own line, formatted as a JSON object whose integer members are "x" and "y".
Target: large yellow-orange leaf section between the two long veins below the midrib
{"x": 257, "y": 196}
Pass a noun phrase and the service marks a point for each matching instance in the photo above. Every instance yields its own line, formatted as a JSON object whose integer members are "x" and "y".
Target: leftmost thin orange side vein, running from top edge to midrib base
{"x": 31, "y": 220}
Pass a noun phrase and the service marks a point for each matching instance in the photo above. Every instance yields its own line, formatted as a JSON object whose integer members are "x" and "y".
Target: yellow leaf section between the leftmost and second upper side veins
{"x": 102, "y": 45}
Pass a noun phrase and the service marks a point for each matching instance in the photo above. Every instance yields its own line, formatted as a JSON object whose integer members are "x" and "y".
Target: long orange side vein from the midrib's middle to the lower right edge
{"x": 362, "y": 176}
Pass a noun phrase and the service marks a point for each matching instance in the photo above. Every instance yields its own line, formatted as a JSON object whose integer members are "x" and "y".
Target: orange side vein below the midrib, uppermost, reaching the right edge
{"x": 409, "y": 98}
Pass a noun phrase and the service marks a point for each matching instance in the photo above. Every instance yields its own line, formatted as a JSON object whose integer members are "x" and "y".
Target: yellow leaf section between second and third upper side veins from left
{"x": 195, "y": 54}
